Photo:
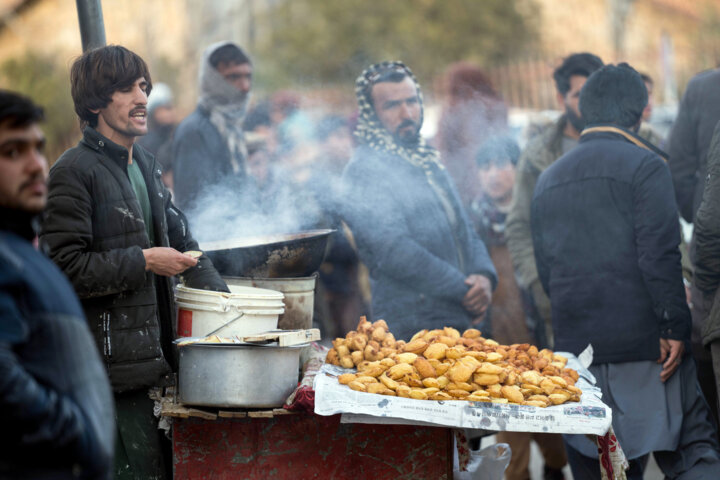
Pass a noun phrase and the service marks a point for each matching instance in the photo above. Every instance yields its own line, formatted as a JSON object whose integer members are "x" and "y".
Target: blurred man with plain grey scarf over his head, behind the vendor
{"x": 209, "y": 147}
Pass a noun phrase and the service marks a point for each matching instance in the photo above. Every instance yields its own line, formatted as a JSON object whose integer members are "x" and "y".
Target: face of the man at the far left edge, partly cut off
{"x": 23, "y": 168}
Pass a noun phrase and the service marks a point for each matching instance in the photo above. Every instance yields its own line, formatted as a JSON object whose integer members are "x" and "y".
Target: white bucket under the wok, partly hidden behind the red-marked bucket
{"x": 299, "y": 297}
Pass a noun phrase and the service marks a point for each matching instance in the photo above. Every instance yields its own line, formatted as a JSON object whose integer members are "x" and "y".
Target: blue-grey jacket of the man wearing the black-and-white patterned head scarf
{"x": 405, "y": 239}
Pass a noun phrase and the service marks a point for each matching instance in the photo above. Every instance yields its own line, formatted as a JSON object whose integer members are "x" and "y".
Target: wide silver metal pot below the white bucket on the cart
{"x": 232, "y": 375}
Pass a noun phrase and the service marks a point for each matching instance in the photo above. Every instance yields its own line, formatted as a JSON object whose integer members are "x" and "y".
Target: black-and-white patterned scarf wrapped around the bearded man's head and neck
{"x": 370, "y": 129}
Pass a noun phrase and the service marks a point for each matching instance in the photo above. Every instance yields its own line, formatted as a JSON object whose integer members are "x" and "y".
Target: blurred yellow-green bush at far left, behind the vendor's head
{"x": 47, "y": 82}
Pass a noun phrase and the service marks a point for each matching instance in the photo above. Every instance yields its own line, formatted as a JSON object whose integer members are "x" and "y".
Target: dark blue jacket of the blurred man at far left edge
{"x": 56, "y": 407}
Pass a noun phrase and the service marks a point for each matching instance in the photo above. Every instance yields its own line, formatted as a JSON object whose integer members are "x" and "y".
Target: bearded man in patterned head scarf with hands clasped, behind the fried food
{"x": 428, "y": 269}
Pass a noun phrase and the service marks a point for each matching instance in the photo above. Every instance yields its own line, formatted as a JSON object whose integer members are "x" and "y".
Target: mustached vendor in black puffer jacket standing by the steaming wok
{"x": 111, "y": 226}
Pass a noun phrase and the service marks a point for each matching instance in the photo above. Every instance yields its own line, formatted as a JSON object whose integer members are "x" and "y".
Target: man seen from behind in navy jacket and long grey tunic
{"x": 605, "y": 232}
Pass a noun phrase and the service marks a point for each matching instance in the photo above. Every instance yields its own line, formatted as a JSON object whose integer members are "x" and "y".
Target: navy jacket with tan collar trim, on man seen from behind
{"x": 604, "y": 223}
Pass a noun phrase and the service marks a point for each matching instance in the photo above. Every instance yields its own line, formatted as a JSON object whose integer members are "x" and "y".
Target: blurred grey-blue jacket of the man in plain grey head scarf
{"x": 201, "y": 159}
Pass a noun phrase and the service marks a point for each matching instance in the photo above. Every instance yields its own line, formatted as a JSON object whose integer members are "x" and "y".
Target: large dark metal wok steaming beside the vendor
{"x": 270, "y": 256}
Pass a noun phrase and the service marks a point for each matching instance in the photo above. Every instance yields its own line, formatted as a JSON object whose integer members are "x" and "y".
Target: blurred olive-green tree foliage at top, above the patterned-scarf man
{"x": 330, "y": 42}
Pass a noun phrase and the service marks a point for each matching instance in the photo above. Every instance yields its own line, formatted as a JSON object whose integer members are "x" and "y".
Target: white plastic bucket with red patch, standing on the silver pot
{"x": 201, "y": 312}
